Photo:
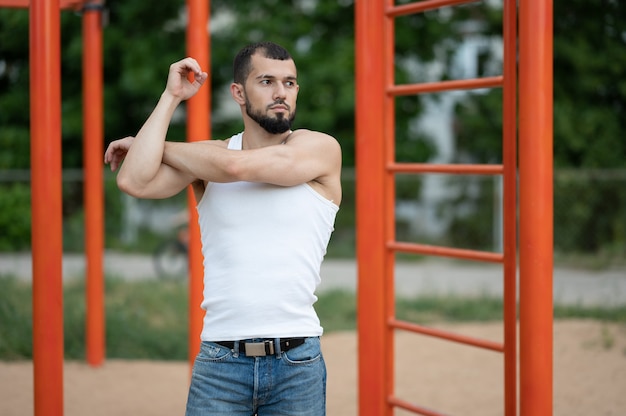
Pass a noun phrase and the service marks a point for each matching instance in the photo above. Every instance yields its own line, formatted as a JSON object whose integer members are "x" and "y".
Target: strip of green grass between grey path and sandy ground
{"x": 148, "y": 319}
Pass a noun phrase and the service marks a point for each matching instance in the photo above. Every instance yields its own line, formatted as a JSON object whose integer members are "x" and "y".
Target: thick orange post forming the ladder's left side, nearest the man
{"x": 370, "y": 208}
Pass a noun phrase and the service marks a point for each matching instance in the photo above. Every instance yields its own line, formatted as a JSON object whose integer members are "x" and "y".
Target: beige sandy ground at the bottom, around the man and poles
{"x": 589, "y": 376}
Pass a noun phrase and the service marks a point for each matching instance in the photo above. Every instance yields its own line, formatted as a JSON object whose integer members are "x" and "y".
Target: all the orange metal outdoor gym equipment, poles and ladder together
{"x": 376, "y": 168}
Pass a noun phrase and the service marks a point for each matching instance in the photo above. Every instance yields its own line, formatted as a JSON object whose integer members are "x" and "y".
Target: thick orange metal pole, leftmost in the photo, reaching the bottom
{"x": 46, "y": 206}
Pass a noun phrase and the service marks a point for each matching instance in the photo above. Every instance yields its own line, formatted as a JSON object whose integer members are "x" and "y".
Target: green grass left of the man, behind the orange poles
{"x": 144, "y": 319}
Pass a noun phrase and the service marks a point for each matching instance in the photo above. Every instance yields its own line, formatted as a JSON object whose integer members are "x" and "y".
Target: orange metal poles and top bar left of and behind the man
{"x": 46, "y": 179}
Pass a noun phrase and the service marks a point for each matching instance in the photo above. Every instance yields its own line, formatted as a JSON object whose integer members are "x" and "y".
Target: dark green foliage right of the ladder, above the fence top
{"x": 589, "y": 86}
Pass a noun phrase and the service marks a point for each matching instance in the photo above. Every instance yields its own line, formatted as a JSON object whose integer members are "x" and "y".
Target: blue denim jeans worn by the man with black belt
{"x": 226, "y": 382}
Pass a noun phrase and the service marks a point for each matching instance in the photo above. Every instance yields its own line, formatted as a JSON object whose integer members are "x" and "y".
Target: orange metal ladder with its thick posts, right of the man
{"x": 376, "y": 167}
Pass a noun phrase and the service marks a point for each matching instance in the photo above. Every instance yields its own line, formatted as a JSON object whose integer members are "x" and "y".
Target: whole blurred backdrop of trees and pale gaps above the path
{"x": 141, "y": 40}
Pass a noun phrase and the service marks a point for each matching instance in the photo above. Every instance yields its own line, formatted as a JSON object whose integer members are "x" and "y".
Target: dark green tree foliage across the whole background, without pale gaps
{"x": 141, "y": 40}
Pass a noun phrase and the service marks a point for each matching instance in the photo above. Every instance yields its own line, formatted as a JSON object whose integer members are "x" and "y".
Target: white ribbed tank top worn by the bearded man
{"x": 263, "y": 246}
